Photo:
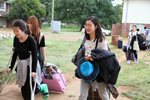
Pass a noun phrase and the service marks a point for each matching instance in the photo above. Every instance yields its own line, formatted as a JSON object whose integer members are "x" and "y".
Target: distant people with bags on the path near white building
{"x": 134, "y": 35}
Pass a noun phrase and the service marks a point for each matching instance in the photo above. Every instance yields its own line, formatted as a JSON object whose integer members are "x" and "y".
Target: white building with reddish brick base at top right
{"x": 135, "y": 12}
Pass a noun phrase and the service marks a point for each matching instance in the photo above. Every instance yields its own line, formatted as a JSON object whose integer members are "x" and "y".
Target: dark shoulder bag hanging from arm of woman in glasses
{"x": 80, "y": 53}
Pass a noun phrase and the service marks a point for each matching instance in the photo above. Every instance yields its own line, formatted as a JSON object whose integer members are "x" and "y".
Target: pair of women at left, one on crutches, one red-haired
{"x": 28, "y": 38}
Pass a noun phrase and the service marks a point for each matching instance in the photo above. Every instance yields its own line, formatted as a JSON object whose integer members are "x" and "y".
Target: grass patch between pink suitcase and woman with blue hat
{"x": 60, "y": 52}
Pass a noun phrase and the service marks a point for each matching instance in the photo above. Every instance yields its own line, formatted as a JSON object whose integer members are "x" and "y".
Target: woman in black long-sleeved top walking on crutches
{"x": 23, "y": 43}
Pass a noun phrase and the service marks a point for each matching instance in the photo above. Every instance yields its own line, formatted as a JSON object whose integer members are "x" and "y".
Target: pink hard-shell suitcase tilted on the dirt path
{"x": 56, "y": 82}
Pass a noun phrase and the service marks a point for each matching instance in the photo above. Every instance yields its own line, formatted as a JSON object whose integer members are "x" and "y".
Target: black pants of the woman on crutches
{"x": 25, "y": 90}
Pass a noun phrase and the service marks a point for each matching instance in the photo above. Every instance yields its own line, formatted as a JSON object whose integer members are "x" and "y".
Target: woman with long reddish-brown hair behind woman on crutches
{"x": 32, "y": 21}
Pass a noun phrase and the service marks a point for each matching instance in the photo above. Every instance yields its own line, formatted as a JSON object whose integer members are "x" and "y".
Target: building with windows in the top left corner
{"x": 4, "y": 10}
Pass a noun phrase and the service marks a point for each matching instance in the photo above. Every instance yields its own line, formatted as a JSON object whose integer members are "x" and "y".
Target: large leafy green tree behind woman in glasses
{"x": 77, "y": 11}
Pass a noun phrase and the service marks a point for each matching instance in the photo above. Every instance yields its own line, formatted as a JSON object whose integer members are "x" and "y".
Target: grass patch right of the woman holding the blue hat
{"x": 136, "y": 76}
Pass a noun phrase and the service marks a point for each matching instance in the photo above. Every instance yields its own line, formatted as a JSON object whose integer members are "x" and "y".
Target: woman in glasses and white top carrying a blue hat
{"x": 93, "y": 33}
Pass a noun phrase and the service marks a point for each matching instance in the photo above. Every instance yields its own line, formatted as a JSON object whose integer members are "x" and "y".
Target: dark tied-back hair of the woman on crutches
{"x": 22, "y": 25}
